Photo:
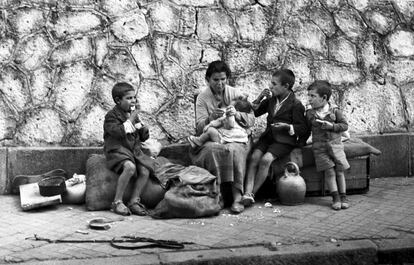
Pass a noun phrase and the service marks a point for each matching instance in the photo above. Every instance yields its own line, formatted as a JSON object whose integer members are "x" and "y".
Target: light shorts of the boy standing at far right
{"x": 329, "y": 155}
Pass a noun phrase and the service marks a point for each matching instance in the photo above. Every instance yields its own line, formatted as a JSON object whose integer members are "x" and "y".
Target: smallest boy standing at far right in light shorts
{"x": 328, "y": 124}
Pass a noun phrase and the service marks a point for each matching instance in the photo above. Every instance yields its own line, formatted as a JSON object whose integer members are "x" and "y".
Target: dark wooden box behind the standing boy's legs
{"x": 357, "y": 178}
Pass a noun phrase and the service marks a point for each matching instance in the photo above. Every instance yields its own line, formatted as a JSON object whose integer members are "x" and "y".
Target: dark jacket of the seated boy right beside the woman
{"x": 292, "y": 112}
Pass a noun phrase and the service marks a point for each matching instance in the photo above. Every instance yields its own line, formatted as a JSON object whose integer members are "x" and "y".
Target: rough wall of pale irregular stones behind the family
{"x": 59, "y": 60}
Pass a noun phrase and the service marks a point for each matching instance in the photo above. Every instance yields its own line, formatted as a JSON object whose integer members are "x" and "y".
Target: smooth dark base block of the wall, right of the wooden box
{"x": 394, "y": 160}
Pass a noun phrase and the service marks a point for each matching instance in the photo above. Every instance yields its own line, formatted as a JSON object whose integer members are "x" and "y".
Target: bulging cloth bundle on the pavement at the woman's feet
{"x": 191, "y": 192}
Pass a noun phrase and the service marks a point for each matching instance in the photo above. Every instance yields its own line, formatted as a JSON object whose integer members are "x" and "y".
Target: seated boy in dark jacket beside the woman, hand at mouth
{"x": 286, "y": 123}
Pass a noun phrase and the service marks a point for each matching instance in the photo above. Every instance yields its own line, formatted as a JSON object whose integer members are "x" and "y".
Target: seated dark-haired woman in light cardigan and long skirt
{"x": 228, "y": 160}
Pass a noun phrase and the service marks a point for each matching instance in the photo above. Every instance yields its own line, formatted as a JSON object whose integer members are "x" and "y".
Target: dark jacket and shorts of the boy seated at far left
{"x": 119, "y": 143}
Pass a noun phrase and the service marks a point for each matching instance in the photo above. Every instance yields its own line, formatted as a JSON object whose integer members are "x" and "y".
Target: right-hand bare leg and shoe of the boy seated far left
{"x": 135, "y": 204}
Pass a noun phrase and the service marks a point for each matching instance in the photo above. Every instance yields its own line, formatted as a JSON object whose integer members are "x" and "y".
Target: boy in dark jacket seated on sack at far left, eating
{"x": 123, "y": 134}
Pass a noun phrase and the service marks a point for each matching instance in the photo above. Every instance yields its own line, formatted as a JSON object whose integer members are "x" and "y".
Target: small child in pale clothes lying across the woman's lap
{"x": 224, "y": 129}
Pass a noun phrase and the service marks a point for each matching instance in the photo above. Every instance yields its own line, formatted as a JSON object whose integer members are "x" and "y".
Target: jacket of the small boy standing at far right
{"x": 335, "y": 117}
